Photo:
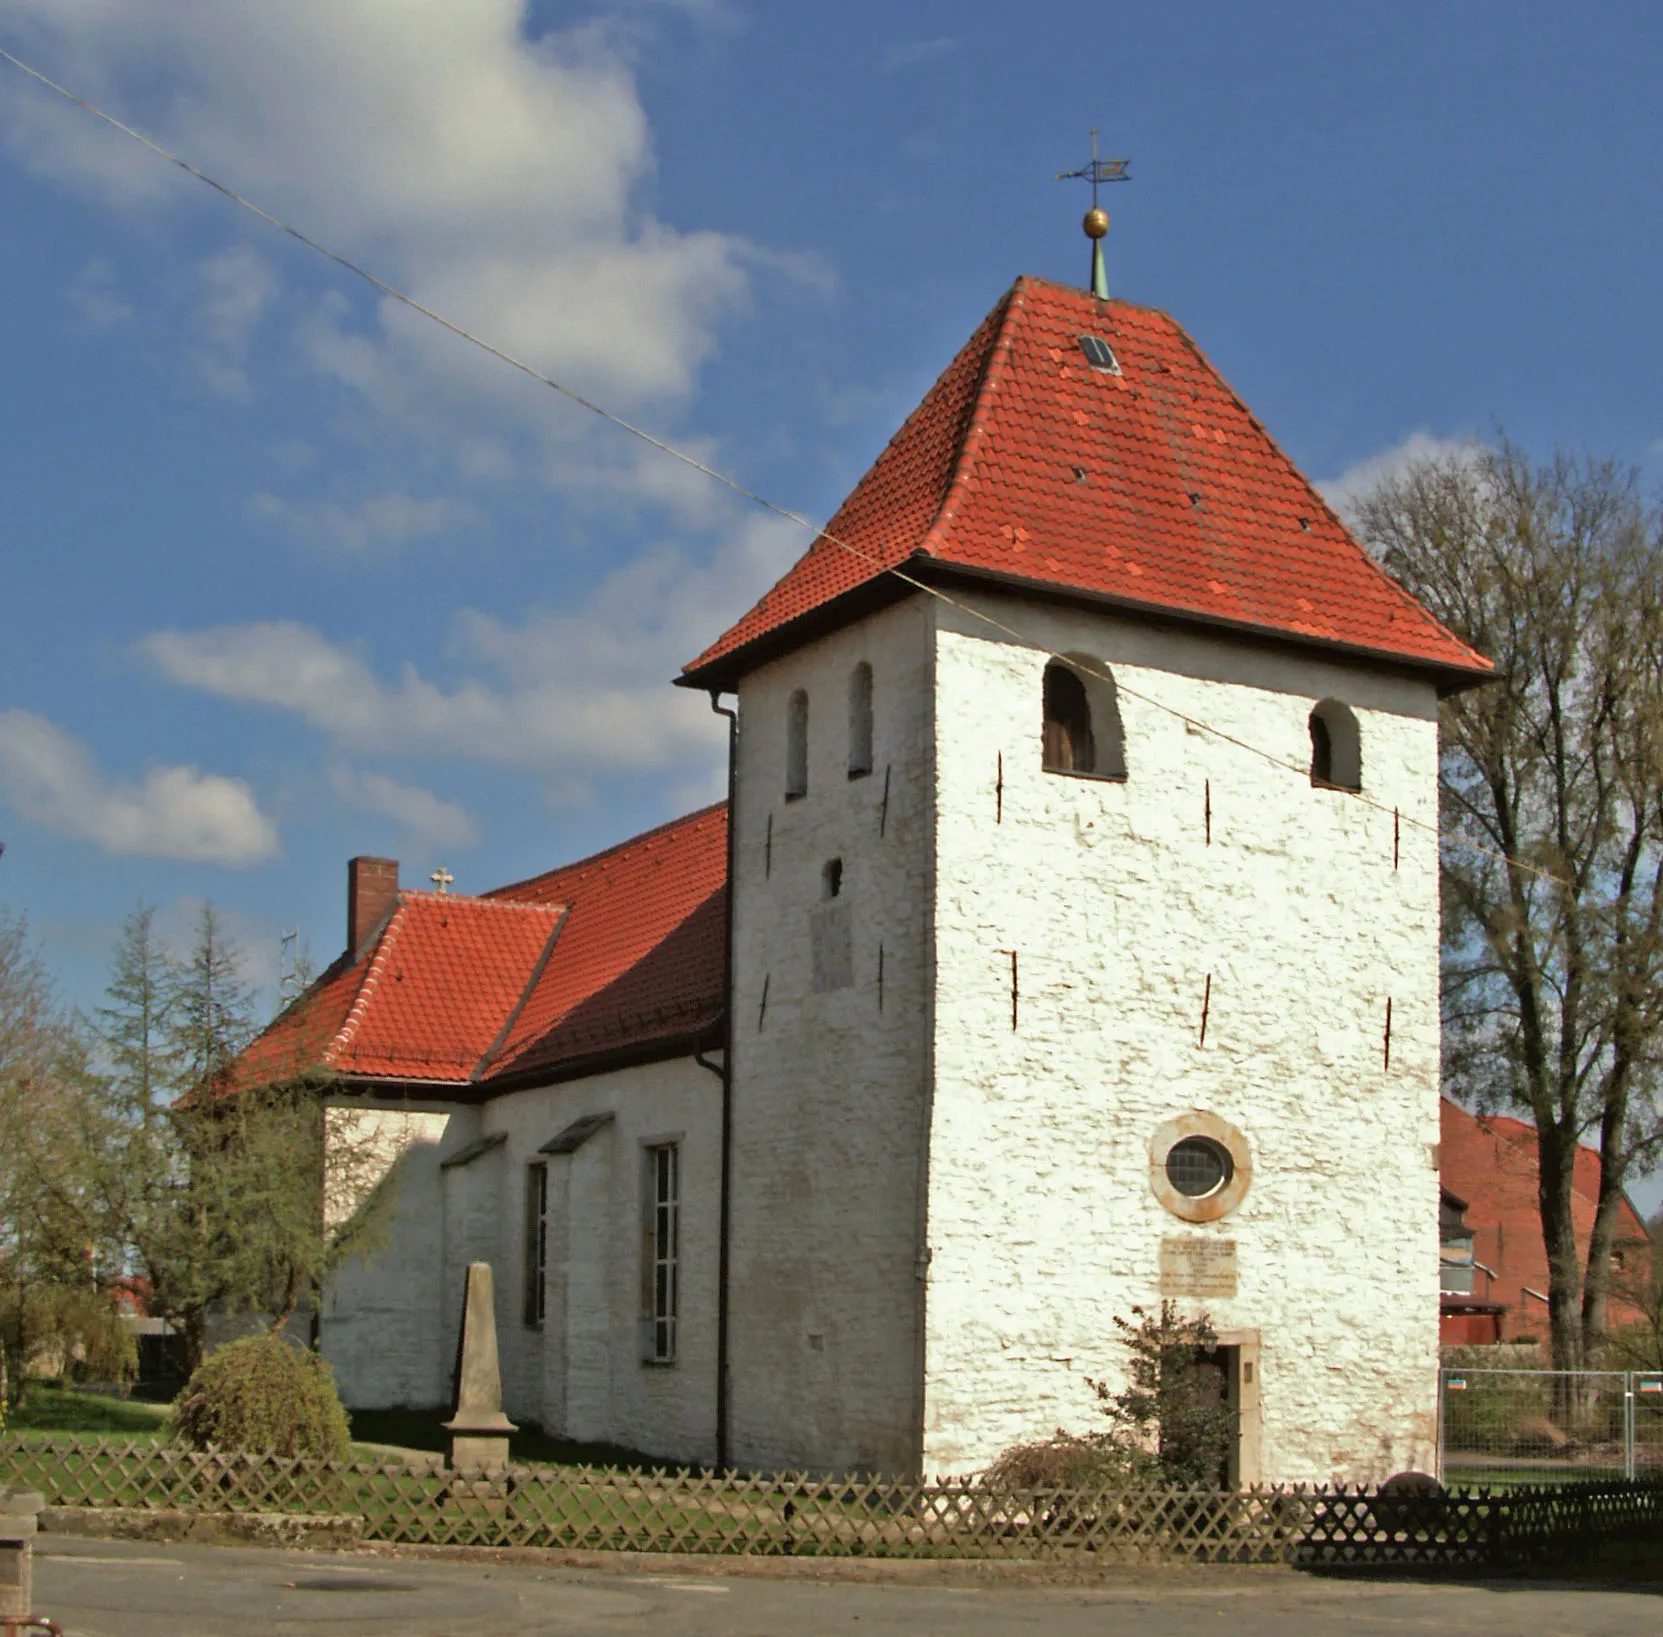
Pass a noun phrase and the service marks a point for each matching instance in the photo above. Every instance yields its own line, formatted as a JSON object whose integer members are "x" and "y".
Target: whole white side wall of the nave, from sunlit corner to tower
{"x": 392, "y": 1317}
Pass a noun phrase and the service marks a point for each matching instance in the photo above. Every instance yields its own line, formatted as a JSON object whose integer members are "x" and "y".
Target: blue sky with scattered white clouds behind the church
{"x": 292, "y": 576}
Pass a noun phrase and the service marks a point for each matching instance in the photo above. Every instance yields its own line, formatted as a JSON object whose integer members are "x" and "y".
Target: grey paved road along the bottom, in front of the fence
{"x": 117, "y": 1590}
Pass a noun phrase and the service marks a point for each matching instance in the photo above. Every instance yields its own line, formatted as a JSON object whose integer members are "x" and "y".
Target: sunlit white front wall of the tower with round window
{"x": 1042, "y": 1220}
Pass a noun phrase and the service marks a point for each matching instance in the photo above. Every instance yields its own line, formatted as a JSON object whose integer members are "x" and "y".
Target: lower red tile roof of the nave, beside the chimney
{"x": 618, "y": 952}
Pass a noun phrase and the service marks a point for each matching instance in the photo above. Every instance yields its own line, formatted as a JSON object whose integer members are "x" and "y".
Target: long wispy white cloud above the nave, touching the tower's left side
{"x": 570, "y": 693}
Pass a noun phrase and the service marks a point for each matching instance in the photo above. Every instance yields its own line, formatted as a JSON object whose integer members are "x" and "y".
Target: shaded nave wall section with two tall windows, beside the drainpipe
{"x": 581, "y": 1373}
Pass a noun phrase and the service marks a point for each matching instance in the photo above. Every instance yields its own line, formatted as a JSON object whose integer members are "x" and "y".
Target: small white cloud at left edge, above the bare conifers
{"x": 174, "y": 813}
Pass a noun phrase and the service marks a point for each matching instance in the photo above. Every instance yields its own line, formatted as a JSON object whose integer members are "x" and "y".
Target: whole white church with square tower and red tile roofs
{"x": 1070, "y": 942}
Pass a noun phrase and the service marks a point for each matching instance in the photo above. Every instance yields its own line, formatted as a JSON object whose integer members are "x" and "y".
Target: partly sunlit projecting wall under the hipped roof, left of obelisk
{"x": 383, "y": 1315}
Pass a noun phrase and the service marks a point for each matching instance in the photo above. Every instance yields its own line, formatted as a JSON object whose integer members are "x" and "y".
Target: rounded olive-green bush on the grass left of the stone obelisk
{"x": 264, "y": 1397}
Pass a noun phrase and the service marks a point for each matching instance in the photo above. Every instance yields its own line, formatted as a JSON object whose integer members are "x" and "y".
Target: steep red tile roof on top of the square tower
{"x": 1185, "y": 508}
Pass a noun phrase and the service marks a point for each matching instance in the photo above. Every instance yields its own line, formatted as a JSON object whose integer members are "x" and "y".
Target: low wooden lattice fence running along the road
{"x": 608, "y": 1510}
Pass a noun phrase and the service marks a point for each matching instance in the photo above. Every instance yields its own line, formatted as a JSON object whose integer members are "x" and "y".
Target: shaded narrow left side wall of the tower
{"x": 829, "y": 1091}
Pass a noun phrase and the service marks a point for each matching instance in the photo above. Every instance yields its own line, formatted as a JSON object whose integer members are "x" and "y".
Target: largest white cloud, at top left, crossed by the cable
{"x": 493, "y": 174}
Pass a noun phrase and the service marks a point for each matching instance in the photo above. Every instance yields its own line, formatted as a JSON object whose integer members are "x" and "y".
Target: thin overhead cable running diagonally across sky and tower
{"x": 392, "y": 292}
